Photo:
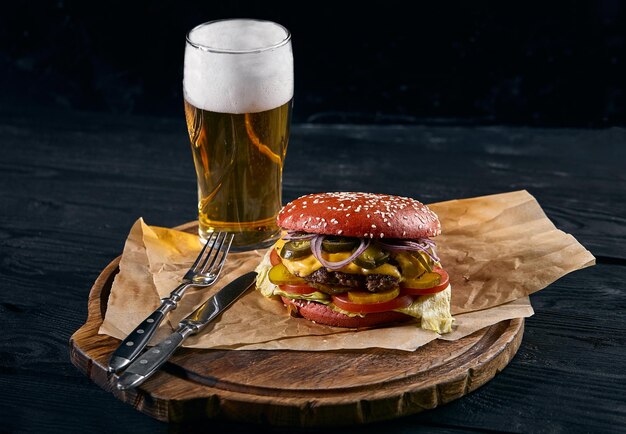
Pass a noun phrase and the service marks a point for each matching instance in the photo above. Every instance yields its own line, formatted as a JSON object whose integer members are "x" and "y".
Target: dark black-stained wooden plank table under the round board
{"x": 72, "y": 184}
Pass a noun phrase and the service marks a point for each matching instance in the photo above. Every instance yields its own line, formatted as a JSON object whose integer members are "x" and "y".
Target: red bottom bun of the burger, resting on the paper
{"x": 322, "y": 314}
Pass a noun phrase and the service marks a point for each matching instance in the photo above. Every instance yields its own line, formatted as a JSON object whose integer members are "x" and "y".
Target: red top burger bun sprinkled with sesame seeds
{"x": 361, "y": 215}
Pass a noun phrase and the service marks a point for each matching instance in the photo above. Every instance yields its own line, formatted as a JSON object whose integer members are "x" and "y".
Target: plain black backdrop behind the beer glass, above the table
{"x": 524, "y": 63}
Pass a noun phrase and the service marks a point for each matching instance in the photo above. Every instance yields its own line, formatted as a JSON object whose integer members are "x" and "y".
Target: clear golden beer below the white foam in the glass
{"x": 239, "y": 162}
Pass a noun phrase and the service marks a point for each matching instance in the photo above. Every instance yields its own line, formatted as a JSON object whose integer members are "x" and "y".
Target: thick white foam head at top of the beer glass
{"x": 238, "y": 66}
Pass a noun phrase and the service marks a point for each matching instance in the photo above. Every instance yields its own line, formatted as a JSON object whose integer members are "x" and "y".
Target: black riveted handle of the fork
{"x": 137, "y": 340}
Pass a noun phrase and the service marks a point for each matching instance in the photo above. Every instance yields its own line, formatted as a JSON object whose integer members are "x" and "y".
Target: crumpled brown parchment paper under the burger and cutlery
{"x": 498, "y": 250}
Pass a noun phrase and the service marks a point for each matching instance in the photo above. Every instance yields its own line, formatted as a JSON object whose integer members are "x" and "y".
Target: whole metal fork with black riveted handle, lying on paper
{"x": 203, "y": 273}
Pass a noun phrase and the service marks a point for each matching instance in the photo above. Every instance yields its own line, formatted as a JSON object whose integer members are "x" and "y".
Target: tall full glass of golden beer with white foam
{"x": 238, "y": 91}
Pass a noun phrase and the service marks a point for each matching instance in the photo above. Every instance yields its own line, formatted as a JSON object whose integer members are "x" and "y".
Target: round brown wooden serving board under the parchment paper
{"x": 298, "y": 388}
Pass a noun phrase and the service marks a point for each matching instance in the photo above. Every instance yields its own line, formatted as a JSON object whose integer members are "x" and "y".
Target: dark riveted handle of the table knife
{"x": 150, "y": 361}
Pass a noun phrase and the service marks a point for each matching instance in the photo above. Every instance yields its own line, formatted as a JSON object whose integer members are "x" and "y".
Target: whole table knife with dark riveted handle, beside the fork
{"x": 148, "y": 363}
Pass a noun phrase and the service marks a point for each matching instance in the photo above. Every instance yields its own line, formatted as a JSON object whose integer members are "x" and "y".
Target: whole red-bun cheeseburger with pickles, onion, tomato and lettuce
{"x": 356, "y": 260}
